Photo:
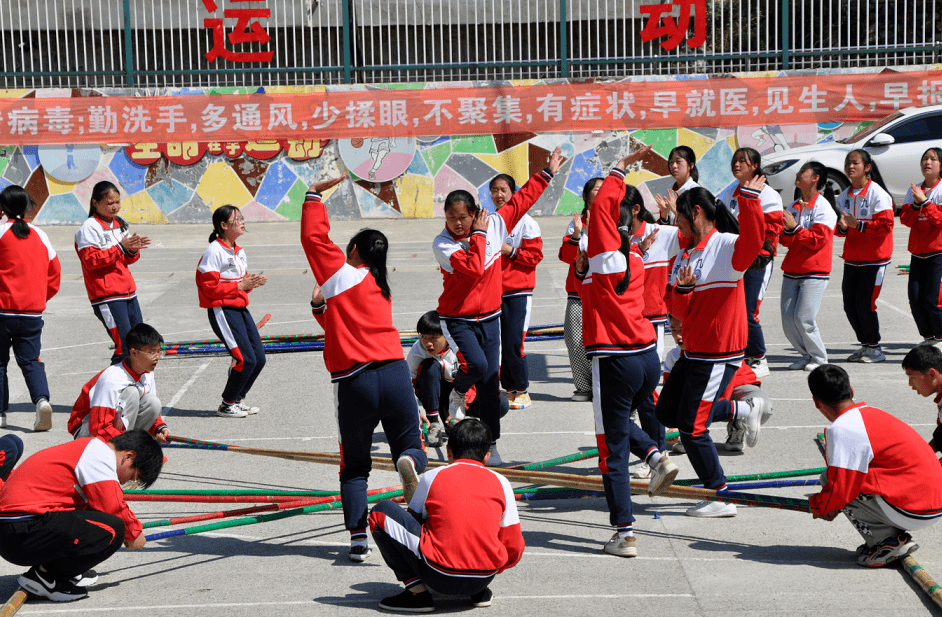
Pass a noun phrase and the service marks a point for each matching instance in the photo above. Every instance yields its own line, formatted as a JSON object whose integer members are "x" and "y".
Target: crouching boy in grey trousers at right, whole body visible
{"x": 880, "y": 472}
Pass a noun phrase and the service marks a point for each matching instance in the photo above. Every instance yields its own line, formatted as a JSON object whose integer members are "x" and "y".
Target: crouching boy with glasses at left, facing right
{"x": 123, "y": 396}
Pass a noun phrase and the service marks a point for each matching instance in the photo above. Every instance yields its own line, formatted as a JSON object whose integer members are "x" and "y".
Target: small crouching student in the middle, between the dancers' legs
{"x": 432, "y": 365}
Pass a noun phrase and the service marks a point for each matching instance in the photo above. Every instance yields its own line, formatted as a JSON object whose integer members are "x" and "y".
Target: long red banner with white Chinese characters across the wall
{"x": 799, "y": 99}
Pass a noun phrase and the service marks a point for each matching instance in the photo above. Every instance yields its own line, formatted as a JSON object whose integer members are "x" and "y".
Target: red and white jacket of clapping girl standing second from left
{"x": 104, "y": 261}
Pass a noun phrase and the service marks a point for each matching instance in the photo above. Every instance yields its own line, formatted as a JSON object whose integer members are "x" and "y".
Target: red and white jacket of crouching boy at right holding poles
{"x": 870, "y": 451}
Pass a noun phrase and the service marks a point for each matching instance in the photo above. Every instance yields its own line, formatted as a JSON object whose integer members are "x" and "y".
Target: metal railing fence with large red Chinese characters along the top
{"x": 245, "y": 43}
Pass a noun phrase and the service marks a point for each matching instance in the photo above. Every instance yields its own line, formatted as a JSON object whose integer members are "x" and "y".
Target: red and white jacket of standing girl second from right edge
{"x": 871, "y": 242}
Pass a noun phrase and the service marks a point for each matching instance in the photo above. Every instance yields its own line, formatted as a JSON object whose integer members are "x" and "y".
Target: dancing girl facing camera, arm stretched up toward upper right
{"x": 468, "y": 252}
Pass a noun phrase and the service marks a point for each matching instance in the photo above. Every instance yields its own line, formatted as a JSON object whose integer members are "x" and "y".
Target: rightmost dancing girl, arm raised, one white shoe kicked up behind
{"x": 709, "y": 299}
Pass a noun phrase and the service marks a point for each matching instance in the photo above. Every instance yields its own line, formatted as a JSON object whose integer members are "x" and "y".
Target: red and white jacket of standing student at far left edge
{"x": 29, "y": 272}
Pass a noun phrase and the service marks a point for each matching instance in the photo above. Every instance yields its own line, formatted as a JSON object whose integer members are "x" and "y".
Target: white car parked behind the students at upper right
{"x": 896, "y": 144}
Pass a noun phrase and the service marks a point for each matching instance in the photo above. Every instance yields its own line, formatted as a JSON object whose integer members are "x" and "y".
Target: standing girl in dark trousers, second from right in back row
{"x": 867, "y": 224}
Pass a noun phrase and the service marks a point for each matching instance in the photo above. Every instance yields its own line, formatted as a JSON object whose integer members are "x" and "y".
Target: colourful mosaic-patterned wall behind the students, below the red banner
{"x": 271, "y": 187}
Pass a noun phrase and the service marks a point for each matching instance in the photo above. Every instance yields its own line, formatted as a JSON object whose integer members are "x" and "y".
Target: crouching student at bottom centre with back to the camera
{"x": 432, "y": 546}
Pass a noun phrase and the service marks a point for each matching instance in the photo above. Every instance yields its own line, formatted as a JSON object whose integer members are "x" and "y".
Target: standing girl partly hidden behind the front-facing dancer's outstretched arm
{"x": 520, "y": 254}
